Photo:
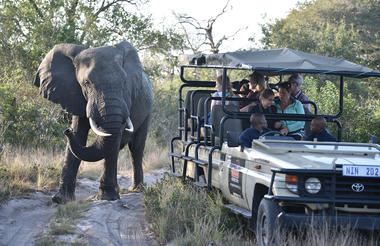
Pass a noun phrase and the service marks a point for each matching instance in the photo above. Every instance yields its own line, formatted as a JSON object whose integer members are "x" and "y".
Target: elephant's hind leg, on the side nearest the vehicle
{"x": 136, "y": 147}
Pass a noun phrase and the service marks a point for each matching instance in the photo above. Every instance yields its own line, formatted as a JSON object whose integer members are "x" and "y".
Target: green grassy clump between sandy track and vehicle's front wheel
{"x": 200, "y": 218}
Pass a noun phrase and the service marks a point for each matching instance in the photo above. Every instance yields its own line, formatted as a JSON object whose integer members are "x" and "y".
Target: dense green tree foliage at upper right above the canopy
{"x": 344, "y": 29}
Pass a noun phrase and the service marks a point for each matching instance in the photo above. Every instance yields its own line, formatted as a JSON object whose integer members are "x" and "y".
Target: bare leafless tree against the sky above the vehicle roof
{"x": 204, "y": 35}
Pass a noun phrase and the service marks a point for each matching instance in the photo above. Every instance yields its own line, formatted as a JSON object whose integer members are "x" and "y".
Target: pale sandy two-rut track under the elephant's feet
{"x": 23, "y": 221}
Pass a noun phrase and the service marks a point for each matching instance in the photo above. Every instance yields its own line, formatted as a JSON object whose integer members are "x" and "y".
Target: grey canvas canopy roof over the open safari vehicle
{"x": 281, "y": 61}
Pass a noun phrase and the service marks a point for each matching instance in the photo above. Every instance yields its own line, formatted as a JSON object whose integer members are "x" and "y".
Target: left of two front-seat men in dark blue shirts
{"x": 258, "y": 126}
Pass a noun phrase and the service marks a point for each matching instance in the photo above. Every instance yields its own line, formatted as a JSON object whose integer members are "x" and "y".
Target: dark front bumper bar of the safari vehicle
{"x": 361, "y": 222}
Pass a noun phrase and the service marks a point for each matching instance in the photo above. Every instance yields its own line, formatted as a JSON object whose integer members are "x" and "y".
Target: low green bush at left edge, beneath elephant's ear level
{"x": 26, "y": 118}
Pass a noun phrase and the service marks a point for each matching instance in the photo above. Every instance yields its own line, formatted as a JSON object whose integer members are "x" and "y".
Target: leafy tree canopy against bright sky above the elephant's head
{"x": 29, "y": 28}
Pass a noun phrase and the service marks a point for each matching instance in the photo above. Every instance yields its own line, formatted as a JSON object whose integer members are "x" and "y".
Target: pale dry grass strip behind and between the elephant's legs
{"x": 26, "y": 170}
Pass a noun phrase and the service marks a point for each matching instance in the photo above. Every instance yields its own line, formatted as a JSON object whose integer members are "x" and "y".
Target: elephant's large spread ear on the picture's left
{"x": 57, "y": 81}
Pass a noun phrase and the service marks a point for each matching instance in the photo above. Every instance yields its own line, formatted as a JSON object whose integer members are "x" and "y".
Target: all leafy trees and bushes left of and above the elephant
{"x": 30, "y": 28}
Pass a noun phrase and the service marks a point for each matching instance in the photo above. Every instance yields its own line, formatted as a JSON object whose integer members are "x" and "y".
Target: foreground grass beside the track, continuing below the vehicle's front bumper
{"x": 182, "y": 214}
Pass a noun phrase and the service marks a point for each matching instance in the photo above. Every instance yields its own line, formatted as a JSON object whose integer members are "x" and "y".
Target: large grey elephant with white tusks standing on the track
{"x": 106, "y": 90}
